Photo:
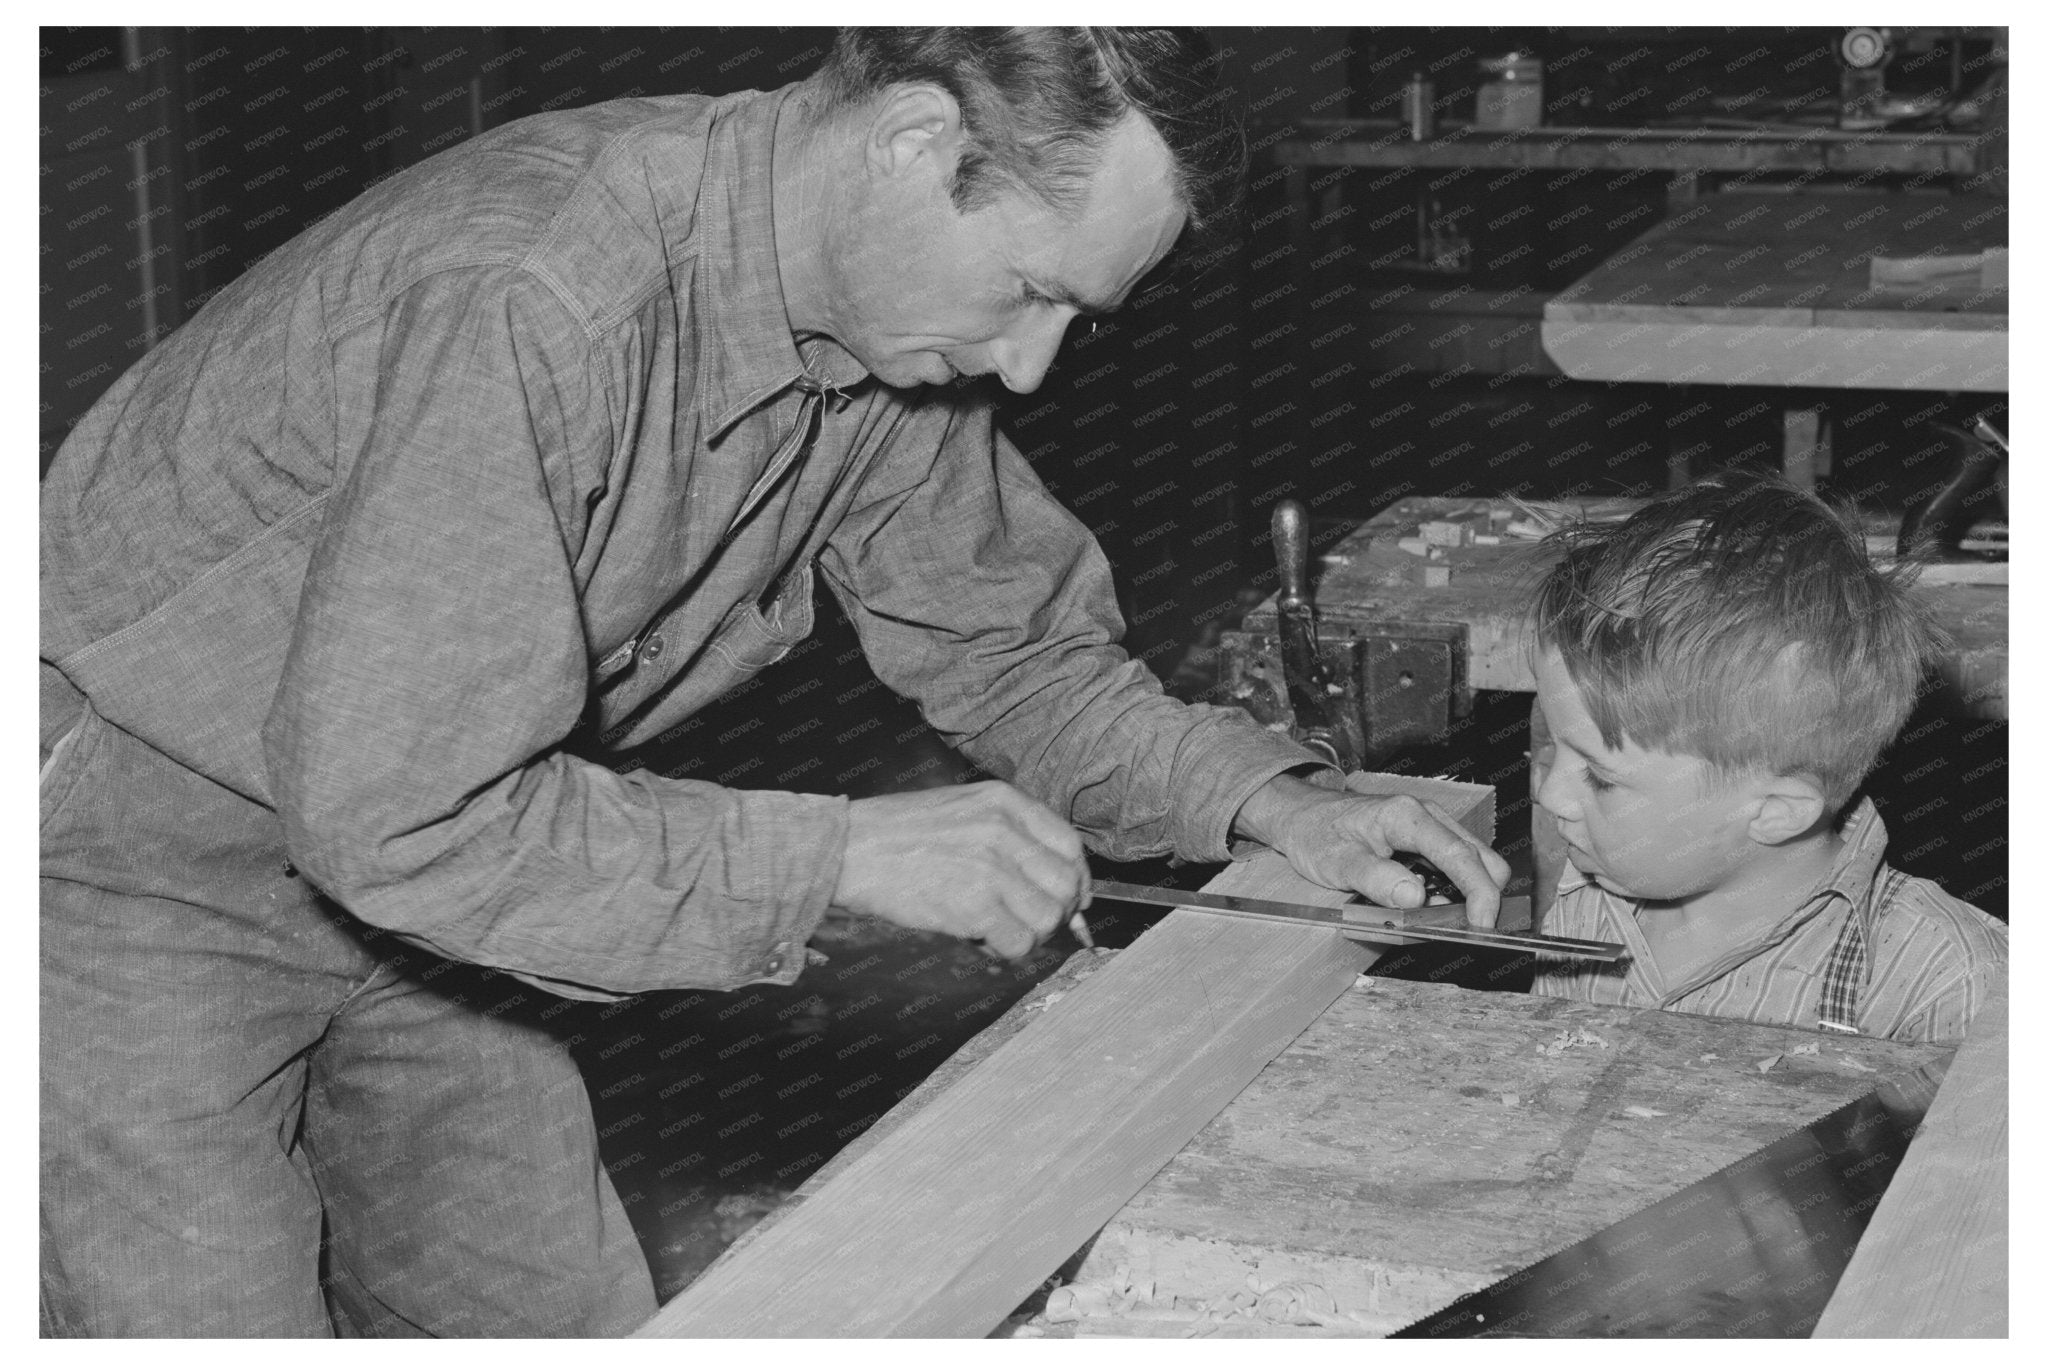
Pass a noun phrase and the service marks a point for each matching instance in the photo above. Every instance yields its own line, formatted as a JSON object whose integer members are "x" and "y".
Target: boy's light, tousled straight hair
{"x": 1740, "y": 621}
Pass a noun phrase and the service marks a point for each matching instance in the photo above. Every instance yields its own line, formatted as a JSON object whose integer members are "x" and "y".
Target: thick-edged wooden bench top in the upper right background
{"x": 1777, "y": 290}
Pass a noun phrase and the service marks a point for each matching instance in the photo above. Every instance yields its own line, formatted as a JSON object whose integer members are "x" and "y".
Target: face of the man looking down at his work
{"x": 927, "y": 294}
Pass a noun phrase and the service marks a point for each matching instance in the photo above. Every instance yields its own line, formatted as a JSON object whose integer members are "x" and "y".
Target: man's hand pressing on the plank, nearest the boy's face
{"x": 1345, "y": 842}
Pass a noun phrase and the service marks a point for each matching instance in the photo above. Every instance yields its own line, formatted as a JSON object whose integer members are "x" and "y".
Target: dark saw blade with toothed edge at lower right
{"x": 1756, "y": 1249}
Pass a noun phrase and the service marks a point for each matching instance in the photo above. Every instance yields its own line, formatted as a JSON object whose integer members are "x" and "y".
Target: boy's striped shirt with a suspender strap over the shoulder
{"x": 1871, "y": 951}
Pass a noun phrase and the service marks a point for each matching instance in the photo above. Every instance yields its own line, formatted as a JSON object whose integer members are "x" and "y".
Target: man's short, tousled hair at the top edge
{"x": 1039, "y": 103}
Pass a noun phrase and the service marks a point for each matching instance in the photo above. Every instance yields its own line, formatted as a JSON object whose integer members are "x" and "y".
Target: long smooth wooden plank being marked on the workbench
{"x": 949, "y": 1221}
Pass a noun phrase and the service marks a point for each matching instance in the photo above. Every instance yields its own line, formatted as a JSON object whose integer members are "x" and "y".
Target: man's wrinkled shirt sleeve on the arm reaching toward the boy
{"x": 992, "y": 607}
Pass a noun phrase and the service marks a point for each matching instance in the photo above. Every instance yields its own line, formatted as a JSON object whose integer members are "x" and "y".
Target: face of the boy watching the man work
{"x": 1644, "y": 824}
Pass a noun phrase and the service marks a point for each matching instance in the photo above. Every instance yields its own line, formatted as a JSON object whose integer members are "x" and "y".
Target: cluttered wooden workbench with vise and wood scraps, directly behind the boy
{"x": 1490, "y": 590}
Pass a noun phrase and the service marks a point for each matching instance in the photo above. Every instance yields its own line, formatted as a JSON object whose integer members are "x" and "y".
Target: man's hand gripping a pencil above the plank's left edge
{"x": 982, "y": 863}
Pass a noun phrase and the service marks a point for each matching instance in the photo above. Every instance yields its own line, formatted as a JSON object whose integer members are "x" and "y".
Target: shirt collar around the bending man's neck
{"x": 746, "y": 353}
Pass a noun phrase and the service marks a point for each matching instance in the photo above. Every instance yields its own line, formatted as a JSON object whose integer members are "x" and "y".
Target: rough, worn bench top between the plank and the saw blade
{"x": 1422, "y": 1141}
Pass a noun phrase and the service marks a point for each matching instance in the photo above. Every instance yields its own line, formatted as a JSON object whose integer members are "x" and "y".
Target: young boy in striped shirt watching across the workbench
{"x": 1717, "y": 676}
